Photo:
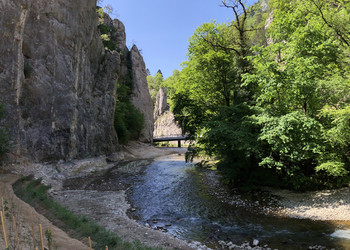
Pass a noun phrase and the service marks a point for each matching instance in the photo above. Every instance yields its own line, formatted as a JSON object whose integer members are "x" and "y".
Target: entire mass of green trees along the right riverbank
{"x": 271, "y": 104}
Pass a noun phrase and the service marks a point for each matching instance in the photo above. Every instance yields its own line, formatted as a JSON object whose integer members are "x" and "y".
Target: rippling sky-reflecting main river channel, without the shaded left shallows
{"x": 172, "y": 197}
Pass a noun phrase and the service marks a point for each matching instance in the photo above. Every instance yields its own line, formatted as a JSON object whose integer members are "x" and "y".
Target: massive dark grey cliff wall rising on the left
{"x": 58, "y": 83}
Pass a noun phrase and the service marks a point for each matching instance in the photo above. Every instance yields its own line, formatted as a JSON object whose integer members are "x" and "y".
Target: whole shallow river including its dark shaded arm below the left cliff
{"x": 172, "y": 196}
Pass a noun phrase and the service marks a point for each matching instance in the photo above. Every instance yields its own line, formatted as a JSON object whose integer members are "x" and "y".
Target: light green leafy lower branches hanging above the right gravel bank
{"x": 293, "y": 144}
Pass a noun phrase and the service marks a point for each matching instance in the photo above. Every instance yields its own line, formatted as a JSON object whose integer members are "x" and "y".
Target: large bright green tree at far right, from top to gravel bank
{"x": 303, "y": 70}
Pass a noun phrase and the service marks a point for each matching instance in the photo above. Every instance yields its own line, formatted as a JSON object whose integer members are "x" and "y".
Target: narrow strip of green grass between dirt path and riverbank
{"x": 35, "y": 193}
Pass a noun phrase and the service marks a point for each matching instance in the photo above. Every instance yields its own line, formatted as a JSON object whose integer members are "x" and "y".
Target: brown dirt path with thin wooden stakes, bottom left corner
{"x": 21, "y": 212}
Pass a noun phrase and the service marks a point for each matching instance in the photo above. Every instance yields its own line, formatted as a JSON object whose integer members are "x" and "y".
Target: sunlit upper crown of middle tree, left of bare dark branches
{"x": 212, "y": 67}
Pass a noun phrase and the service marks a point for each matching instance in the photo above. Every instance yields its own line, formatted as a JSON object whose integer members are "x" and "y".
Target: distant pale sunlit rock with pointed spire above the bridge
{"x": 165, "y": 124}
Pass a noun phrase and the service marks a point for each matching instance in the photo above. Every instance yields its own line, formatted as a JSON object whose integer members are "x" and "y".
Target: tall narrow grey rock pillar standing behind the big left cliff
{"x": 141, "y": 97}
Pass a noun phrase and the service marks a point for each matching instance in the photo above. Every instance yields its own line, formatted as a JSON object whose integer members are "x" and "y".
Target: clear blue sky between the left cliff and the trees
{"x": 161, "y": 28}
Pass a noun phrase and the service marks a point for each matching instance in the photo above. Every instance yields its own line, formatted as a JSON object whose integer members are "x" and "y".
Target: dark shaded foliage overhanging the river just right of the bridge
{"x": 231, "y": 135}
